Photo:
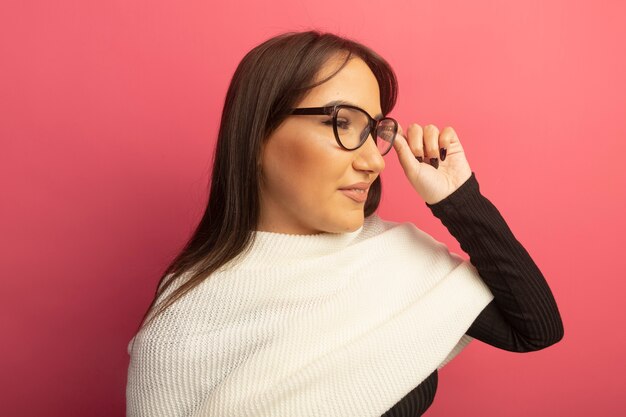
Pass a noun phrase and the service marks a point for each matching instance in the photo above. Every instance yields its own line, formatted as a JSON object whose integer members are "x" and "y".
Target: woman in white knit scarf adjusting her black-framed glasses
{"x": 292, "y": 297}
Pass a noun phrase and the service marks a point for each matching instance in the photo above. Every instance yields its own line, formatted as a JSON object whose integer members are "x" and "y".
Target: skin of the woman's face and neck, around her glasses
{"x": 303, "y": 166}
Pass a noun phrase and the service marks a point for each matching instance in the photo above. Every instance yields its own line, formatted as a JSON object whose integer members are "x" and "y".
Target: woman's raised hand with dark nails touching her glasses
{"x": 433, "y": 179}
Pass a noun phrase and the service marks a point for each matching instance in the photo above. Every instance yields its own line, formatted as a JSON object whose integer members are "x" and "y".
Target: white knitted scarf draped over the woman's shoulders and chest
{"x": 318, "y": 325}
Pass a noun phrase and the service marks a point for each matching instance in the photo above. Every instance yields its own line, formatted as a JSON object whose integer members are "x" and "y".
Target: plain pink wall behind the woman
{"x": 108, "y": 116}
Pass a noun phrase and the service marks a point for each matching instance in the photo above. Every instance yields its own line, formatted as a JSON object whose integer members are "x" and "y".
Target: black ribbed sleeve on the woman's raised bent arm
{"x": 523, "y": 316}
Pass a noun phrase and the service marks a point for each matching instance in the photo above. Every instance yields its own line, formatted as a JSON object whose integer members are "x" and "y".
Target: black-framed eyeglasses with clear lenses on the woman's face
{"x": 352, "y": 125}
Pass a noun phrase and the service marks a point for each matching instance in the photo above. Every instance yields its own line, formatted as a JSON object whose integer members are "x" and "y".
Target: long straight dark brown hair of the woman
{"x": 271, "y": 79}
